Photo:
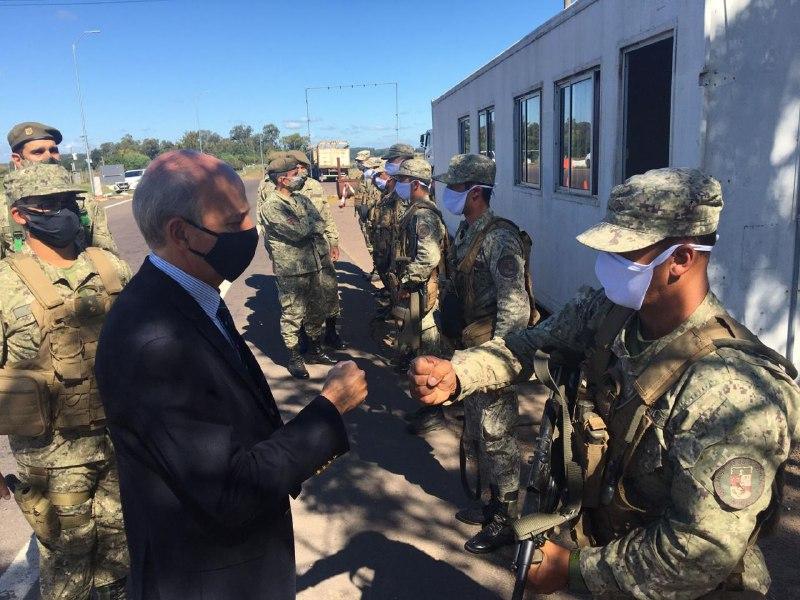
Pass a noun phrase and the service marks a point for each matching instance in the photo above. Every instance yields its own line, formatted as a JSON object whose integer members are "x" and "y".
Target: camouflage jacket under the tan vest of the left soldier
{"x": 21, "y": 340}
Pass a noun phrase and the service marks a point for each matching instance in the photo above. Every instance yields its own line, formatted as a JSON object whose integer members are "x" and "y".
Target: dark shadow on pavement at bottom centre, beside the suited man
{"x": 382, "y": 569}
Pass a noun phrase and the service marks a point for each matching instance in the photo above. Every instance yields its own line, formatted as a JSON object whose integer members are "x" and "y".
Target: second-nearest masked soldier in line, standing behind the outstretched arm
{"x": 487, "y": 263}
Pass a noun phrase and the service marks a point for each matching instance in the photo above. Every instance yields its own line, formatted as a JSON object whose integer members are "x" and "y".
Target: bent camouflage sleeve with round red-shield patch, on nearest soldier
{"x": 729, "y": 432}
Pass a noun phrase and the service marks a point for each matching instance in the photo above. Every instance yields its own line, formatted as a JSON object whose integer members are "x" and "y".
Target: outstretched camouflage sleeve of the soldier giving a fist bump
{"x": 509, "y": 359}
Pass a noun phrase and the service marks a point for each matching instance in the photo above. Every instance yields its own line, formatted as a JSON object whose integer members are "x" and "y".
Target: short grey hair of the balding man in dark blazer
{"x": 161, "y": 195}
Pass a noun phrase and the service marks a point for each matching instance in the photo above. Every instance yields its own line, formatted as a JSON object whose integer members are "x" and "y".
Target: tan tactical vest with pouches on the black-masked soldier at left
{"x": 70, "y": 330}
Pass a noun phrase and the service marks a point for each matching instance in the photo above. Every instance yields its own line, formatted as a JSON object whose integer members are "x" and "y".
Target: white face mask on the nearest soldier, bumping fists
{"x": 626, "y": 282}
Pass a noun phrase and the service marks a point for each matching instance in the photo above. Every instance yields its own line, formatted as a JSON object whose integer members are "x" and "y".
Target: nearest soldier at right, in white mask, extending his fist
{"x": 696, "y": 415}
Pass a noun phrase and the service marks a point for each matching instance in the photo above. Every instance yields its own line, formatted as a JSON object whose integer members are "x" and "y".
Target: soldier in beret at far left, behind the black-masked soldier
{"x": 32, "y": 143}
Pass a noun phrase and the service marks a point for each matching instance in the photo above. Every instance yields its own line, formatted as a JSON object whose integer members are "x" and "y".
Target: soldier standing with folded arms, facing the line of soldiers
{"x": 294, "y": 236}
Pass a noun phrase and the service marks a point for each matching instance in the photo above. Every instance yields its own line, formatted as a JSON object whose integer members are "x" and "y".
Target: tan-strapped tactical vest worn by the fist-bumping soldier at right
{"x": 607, "y": 432}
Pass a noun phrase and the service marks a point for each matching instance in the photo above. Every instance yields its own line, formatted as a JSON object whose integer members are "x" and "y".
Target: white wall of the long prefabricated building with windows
{"x": 593, "y": 33}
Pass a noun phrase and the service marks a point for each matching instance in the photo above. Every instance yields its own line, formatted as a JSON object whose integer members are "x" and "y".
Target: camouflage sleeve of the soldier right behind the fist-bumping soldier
{"x": 507, "y": 267}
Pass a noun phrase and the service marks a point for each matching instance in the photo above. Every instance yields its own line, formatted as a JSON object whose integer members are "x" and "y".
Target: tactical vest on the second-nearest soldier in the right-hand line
{"x": 480, "y": 324}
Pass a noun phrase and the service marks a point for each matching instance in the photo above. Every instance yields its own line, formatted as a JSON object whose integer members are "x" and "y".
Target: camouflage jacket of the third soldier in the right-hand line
{"x": 421, "y": 239}
